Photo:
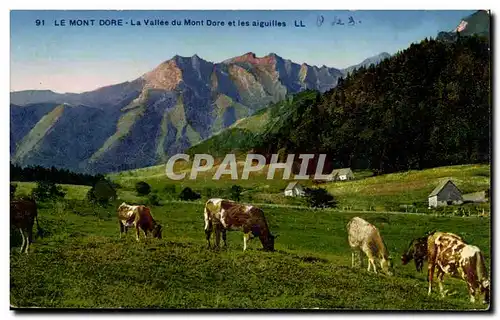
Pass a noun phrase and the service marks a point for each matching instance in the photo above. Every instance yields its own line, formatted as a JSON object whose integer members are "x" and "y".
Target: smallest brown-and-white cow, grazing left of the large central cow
{"x": 140, "y": 217}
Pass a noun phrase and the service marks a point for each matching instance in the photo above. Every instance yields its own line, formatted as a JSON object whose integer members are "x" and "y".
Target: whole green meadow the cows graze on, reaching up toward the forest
{"x": 81, "y": 262}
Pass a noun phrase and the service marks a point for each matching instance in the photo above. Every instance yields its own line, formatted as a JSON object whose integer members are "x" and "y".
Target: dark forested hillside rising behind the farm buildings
{"x": 426, "y": 106}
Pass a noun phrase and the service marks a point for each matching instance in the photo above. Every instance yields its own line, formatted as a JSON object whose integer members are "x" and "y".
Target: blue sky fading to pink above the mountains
{"x": 65, "y": 58}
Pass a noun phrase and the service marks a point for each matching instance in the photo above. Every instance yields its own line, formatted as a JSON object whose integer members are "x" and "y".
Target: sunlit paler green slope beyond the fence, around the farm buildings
{"x": 384, "y": 193}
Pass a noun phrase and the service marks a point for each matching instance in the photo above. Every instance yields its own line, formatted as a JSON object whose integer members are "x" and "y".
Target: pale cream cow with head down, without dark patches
{"x": 364, "y": 237}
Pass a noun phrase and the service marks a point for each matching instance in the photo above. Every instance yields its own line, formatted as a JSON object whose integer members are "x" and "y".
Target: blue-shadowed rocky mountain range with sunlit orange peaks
{"x": 141, "y": 122}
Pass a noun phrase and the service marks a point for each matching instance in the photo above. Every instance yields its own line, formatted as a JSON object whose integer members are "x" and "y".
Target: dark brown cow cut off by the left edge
{"x": 23, "y": 214}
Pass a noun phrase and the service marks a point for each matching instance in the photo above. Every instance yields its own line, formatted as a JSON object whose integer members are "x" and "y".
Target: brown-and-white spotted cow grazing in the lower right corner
{"x": 451, "y": 255}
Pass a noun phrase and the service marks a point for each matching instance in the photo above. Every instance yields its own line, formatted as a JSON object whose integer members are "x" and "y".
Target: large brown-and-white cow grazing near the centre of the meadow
{"x": 228, "y": 215}
